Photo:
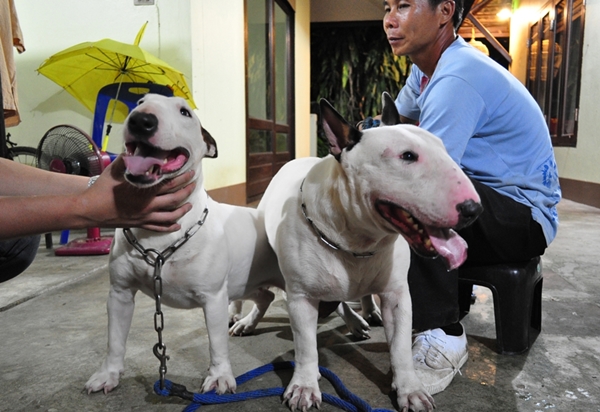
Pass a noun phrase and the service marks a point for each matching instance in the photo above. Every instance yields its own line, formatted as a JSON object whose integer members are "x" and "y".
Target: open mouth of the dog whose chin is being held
{"x": 146, "y": 164}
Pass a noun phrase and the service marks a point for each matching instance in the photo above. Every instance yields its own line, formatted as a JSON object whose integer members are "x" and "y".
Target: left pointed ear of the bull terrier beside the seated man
{"x": 340, "y": 134}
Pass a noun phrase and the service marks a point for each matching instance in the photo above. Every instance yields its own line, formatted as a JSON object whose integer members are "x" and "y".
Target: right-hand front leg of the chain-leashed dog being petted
{"x": 220, "y": 376}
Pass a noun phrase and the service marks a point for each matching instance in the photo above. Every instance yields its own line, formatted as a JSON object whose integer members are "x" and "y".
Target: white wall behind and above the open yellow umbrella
{"x": 48, "y": 29}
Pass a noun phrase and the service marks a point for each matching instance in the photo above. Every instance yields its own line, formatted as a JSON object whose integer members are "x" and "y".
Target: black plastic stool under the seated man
{"x": 517, "y": 292}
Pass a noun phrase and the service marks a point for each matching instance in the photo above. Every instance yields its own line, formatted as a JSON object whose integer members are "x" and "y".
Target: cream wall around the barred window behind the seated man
{"x": 579, "y": 163}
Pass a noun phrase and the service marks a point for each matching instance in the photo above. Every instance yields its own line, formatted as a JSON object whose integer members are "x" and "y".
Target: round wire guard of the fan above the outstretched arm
{"x": 67, "y": 149}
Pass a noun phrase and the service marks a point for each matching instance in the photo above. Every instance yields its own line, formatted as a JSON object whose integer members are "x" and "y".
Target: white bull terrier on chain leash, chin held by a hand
{"x": 228, "y": 257}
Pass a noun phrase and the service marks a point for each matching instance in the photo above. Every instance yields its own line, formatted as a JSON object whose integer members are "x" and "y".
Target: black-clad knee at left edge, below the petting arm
{"x": 16, "y": 255}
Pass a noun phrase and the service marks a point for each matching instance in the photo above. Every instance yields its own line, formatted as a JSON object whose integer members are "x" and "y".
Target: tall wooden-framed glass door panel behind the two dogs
{"x": 269, "y": 82}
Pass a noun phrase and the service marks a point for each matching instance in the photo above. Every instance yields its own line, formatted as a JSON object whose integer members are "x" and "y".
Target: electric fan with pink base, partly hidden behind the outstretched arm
{"x": 67, "y": 149}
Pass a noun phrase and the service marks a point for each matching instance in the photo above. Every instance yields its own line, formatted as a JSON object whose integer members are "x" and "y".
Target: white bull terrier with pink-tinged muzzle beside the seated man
{"x": 341, "y": 228}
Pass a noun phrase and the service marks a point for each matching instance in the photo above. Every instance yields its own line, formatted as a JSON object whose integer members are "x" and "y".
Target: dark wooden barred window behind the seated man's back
{"x": 554, "y": 67}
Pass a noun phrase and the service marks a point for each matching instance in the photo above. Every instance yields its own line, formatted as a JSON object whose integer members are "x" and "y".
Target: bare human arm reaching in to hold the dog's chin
{"x": 35, "y": 201}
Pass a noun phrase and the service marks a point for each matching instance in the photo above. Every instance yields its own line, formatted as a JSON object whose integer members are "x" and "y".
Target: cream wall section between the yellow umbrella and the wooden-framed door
{"x": 219, "y": 86}
